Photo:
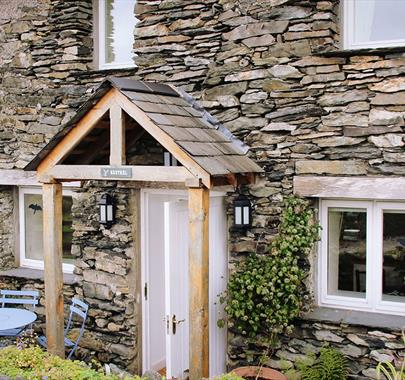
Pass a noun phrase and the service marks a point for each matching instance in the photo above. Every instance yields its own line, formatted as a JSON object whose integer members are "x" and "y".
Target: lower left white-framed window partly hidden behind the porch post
{"x": 31, "y": 230}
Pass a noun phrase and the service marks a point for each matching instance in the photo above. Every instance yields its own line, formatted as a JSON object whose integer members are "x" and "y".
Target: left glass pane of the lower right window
{"x": 347, "y": 252}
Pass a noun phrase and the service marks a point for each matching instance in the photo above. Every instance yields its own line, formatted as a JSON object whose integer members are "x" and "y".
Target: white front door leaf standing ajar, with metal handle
{"x": 176, "y": 288}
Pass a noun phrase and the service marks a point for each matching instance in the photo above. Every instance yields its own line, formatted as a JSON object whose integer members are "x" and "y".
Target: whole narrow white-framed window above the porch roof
{"x": 116, "y": 23}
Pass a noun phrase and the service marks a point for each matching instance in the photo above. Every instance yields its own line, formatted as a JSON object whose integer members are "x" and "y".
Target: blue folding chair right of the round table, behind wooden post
{"x": 78, "y": 312}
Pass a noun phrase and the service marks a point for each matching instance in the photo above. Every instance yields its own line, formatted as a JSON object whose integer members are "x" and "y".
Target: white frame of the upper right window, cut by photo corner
{"x": 348, "y": 28}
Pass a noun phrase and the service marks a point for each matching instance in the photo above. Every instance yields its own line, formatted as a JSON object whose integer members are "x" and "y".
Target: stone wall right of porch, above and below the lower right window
{"x": 272, "y": 72}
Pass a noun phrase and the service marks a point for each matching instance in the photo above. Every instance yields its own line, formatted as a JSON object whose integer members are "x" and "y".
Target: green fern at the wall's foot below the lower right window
{"x": 330, "y": 365}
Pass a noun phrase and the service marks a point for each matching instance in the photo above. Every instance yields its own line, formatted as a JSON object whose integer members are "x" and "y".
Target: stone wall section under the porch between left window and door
{"x": 104, "y": 269}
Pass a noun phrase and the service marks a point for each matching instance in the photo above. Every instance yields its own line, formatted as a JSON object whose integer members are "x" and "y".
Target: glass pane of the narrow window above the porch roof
{"x": 120, "y": 22}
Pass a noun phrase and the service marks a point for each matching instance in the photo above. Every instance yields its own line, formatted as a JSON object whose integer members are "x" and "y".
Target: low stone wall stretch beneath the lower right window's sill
{"x": 363, "y": 347}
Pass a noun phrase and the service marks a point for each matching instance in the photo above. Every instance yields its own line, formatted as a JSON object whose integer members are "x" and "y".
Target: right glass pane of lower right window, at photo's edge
{"x": 394, "y": 256}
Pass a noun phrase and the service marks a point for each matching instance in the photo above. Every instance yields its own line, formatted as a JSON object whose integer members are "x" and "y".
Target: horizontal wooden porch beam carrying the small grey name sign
{"x": 139, "y": 173}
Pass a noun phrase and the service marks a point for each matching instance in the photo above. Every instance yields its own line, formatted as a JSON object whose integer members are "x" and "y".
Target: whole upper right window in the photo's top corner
{"x": 373, "y": 23}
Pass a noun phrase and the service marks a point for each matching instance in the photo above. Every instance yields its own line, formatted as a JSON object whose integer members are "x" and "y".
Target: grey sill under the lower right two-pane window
{"x": 354, "y": 317}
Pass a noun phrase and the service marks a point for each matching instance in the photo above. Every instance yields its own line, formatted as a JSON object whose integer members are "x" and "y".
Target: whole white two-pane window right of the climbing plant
{"x": 362, "y": 255}
